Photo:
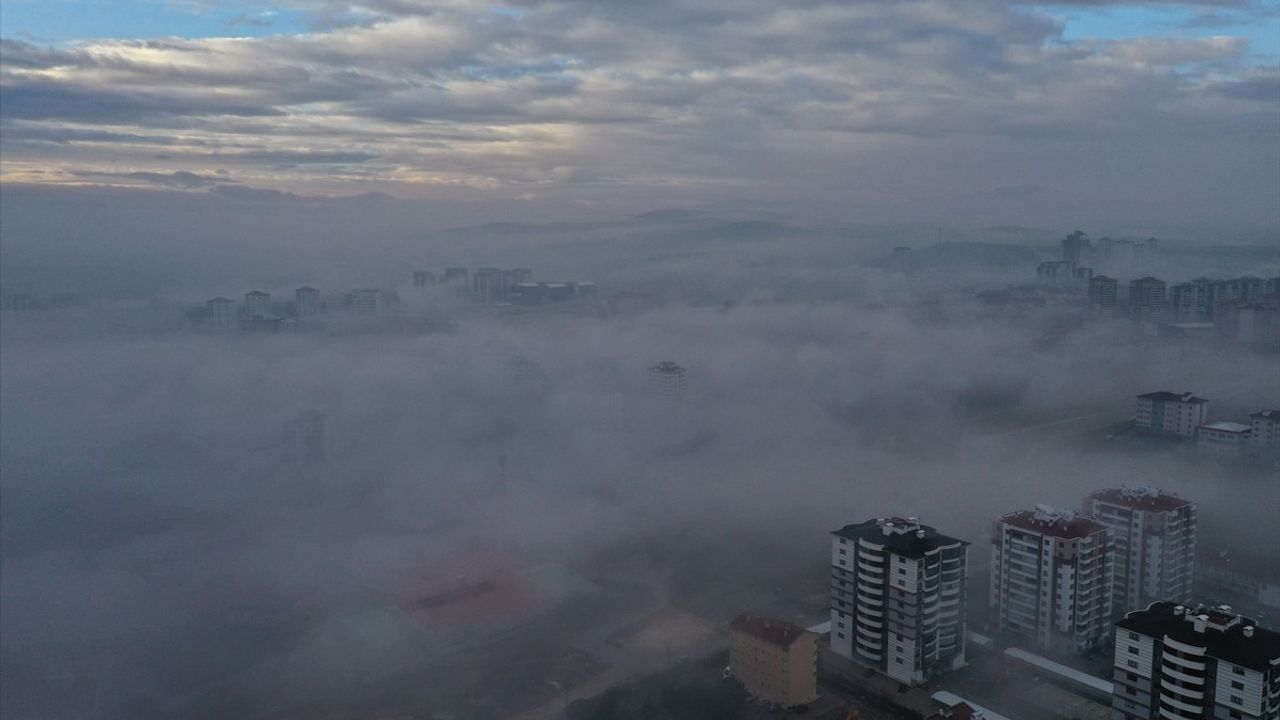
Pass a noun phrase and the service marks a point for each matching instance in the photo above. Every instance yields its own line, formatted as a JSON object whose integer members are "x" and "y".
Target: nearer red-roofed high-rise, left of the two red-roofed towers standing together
{"x": 1052, "y": 580}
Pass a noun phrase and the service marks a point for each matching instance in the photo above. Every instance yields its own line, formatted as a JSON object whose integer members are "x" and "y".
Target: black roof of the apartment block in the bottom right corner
{"x": 1220, "y": 632}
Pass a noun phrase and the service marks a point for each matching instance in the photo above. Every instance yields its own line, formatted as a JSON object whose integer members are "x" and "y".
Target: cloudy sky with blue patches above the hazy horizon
{"x": 810, "y": 111}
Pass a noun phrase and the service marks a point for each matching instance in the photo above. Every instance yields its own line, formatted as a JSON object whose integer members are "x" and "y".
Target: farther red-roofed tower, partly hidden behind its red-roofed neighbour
{"x": 1155, "y": 544}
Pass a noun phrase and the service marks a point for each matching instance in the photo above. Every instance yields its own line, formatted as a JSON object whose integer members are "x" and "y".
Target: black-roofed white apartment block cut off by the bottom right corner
{"x": 1180, "y": 663}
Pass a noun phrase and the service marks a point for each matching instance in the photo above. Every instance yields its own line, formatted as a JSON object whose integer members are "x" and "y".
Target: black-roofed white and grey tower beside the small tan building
{"x": 898, "y": 598}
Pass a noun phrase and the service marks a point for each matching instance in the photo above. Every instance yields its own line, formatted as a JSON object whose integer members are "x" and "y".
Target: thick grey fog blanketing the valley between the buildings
{"x": 153, "y": 496}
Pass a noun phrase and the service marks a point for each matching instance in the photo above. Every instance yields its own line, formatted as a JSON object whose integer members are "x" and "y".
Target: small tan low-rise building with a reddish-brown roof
{"x": 776, "y": 662}
